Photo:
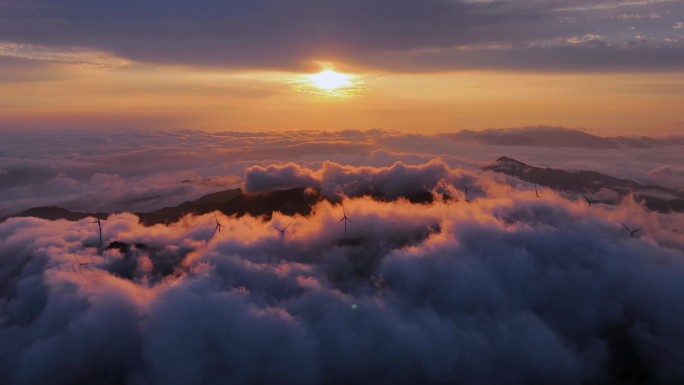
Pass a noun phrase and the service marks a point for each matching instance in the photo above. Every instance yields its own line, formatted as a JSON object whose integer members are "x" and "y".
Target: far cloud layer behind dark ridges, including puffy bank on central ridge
{"x": 134, "y": 171}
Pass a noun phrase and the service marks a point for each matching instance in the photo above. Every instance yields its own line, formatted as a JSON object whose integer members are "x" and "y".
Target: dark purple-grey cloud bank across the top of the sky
{"x": 404, "y": 35}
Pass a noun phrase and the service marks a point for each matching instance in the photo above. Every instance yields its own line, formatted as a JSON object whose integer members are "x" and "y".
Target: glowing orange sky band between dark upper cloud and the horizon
{"x": 159, "y": 97}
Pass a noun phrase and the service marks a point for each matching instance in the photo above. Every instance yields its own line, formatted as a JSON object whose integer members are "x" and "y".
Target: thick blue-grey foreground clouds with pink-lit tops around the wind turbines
{"x": 508, "y": 289}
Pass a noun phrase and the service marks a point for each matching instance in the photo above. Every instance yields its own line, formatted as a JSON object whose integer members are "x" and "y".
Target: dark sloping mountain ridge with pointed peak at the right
{"x": 654, "y": 197}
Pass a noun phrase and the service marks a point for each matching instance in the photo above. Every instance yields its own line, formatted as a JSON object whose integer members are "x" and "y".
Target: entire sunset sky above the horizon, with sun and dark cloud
{"x": 610, "y": 67}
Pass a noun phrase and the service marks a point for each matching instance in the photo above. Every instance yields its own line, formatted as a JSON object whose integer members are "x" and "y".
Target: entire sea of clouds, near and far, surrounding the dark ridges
{"x": 505, "y": 289}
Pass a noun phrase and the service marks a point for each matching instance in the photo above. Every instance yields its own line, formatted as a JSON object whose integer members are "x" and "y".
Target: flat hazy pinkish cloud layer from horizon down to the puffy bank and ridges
{"x": 140, "y": 171}
